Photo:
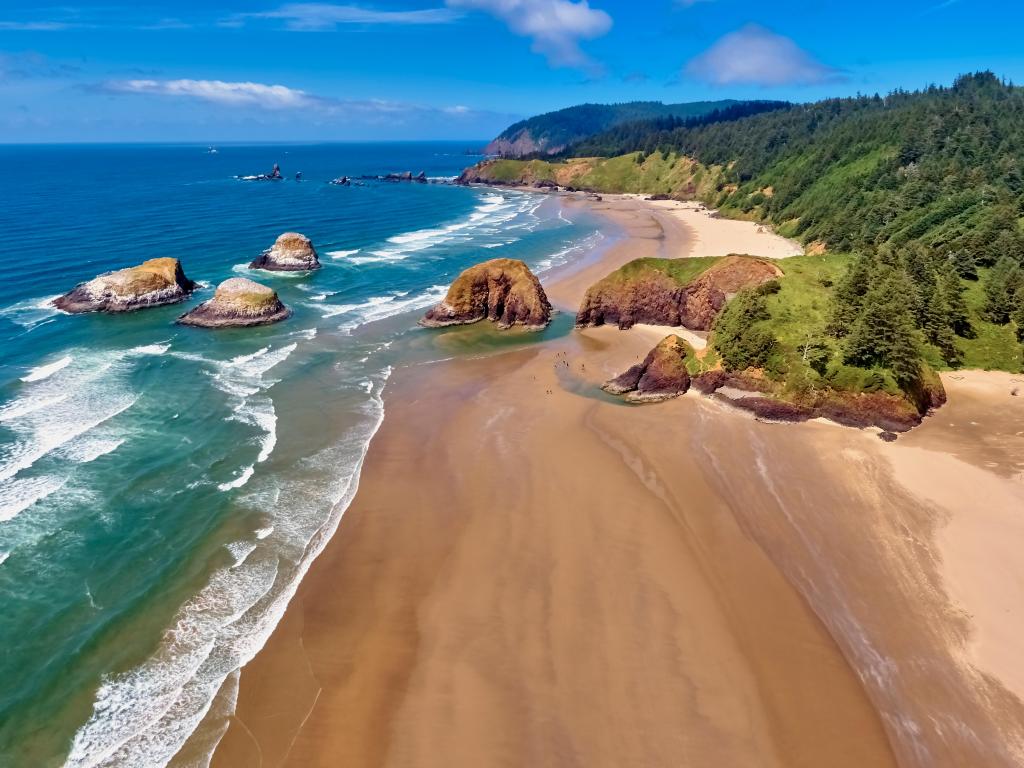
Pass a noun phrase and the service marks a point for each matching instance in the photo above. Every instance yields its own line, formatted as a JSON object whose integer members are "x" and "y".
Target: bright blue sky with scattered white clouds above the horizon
{"x": 222, "y": 71}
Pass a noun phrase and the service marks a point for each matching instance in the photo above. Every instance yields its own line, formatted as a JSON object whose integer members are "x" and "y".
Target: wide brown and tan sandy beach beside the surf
{"x": 535, "y": 575}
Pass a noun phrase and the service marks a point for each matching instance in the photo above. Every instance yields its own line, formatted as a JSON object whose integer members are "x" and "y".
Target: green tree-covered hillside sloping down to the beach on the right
{"x": 915, "y": 203}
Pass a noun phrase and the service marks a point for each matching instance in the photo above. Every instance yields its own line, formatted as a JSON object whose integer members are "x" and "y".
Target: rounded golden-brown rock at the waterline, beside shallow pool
{"x": 503, "y": 291}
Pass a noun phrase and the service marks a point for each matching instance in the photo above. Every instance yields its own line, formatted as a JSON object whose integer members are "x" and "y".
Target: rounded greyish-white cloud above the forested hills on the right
{"x": 754, "y": 56}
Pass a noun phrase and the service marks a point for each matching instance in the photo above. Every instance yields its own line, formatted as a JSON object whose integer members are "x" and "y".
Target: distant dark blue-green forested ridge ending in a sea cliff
{"x": 554, "y": 132}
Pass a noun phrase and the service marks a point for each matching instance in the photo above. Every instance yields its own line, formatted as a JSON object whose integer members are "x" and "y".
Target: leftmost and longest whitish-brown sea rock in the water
{"x": 153, "y": 283}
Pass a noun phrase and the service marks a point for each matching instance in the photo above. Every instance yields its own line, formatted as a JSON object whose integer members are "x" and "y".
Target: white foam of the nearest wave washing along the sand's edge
{"x": 143, "y": 717}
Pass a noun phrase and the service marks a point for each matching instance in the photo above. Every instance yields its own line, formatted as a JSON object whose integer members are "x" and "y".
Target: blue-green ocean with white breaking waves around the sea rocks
{"x": 163, "y": 489}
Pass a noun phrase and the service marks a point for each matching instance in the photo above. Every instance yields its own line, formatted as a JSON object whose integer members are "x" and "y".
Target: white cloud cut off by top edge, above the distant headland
{"x": 557, "y": 27}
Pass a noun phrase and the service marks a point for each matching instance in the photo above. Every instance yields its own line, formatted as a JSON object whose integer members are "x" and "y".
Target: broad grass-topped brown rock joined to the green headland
{"x": 666, "y": 292}
